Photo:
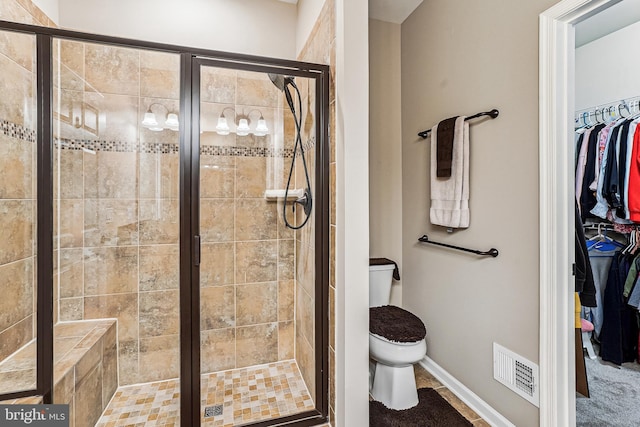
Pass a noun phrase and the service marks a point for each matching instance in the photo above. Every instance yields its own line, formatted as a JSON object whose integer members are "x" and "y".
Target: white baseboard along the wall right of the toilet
{"x": 471, "y": 399}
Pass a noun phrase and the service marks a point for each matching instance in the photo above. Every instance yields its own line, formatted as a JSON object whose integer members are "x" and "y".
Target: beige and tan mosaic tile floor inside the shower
{"x": 249, "y": 394}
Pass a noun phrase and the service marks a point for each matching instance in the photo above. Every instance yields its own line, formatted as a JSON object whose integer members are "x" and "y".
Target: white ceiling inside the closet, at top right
{"x": 618, "y": 16}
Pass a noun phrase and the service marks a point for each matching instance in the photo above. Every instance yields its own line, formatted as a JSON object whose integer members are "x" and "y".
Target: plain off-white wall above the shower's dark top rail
{"x": 265, "y": 28}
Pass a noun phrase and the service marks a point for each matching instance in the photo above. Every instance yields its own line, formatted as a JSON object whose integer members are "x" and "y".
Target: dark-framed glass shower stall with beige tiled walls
{"x": 164, "y": 229}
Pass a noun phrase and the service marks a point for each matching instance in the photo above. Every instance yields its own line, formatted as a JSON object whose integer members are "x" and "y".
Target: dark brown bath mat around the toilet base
{"x": 432, "y": 411}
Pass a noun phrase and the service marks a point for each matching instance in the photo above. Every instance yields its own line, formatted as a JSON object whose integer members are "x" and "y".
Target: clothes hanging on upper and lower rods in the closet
{"x": 607, "y": 172}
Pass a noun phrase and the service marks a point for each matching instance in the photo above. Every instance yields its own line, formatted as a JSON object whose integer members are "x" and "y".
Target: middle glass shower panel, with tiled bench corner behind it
{"x": 116, "y": 233}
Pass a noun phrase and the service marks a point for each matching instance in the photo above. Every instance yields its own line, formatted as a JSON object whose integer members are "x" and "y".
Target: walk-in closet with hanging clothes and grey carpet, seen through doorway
{"x": 607, "y": 190}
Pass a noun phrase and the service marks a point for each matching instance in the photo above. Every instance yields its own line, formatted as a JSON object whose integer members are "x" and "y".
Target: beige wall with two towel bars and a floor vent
{"x": 461, "y": 57}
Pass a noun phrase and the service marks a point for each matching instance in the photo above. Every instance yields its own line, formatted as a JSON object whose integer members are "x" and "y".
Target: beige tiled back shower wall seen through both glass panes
{"x": 118, "y": 221}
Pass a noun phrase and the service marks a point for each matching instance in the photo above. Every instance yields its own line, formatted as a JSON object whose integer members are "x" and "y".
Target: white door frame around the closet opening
{"x": 557, "y": 348}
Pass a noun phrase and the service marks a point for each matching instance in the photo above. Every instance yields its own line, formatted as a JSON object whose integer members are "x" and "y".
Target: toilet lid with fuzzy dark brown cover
{"x": 396, "y": 324}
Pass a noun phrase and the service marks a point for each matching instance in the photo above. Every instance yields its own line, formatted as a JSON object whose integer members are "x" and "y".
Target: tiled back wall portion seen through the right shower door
{"x": 248, "y": 264}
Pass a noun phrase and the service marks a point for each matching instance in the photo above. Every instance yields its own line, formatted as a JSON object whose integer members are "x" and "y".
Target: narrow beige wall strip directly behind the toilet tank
{"x": 385, "y": 149}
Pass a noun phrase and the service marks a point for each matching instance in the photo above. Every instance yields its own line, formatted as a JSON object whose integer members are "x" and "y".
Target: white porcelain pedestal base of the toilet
{"x": 395, "y": 386}
